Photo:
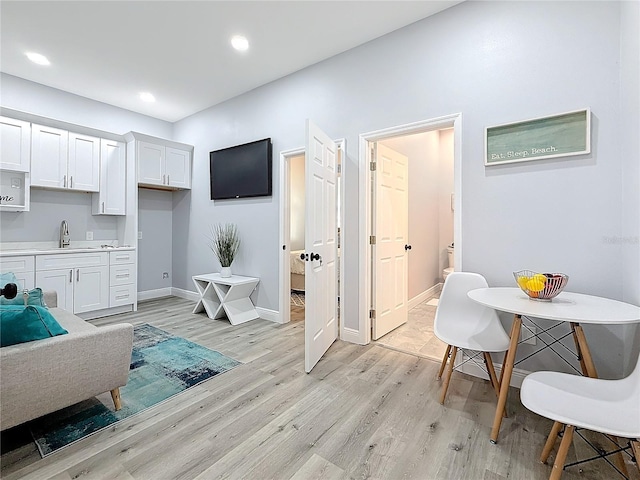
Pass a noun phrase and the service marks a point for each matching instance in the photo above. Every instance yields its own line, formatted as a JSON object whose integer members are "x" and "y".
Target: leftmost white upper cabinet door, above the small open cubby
{"x": 15, "y": 144}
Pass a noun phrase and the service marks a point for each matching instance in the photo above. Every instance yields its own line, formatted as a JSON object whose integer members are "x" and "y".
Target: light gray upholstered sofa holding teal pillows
{"x": 46, "y": 375}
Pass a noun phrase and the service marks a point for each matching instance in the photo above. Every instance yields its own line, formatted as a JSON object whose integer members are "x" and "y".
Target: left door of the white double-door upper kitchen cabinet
{"x": 49, "y": 147}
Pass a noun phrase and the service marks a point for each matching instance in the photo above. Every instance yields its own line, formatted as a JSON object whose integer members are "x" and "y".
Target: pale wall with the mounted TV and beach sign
{"x": 495, "y": 62}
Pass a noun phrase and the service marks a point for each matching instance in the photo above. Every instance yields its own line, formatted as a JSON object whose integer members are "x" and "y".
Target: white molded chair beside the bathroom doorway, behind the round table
{"x": 464, "y": 324}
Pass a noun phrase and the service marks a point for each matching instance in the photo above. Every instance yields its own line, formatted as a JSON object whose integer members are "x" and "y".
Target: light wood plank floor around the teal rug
{"x": 365, "y": 412}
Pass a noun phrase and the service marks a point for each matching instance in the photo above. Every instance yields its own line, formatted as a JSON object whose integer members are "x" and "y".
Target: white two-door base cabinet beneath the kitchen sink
{"x": 80, "y": 280}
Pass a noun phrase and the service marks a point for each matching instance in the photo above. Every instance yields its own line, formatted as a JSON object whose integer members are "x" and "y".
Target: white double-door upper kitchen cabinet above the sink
{"x": 64, "y": 160}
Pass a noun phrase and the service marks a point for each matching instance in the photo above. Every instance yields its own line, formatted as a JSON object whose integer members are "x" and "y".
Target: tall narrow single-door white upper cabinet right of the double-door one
{"x": 111, "y": 198}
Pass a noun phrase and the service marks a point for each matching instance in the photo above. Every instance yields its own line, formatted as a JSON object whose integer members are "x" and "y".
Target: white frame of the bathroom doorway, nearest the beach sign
{"x": 365, "y": 204}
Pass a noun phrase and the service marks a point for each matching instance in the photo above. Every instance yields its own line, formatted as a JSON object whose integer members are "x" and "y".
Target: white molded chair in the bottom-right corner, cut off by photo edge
{"x": 611, "y": 407}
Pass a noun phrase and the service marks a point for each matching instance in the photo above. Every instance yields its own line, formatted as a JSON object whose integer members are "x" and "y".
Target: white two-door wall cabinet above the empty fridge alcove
{"x": 163, "y": 166}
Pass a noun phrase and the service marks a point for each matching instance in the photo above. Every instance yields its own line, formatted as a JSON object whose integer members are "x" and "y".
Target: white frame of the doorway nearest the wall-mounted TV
{"x": 285, "y": 232}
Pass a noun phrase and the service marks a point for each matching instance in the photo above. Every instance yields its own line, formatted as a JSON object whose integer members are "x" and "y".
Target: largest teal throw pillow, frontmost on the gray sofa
{"x": 19, "y": 324}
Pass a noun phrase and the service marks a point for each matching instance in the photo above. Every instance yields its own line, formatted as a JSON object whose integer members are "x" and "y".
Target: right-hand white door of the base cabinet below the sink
{"x": 91, "y": 290}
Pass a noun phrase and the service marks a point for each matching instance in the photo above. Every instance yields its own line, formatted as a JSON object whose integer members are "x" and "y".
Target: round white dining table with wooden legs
{"x": 575, "y": 308}
